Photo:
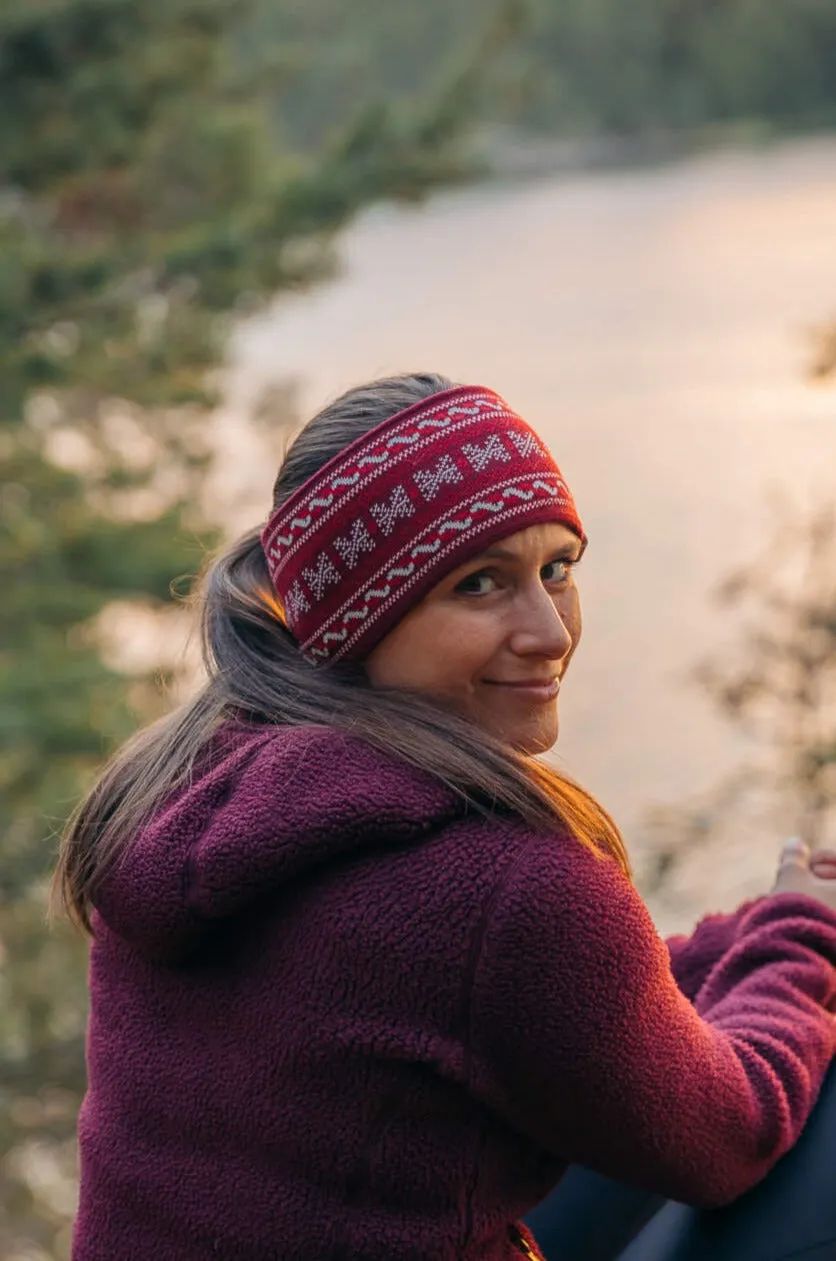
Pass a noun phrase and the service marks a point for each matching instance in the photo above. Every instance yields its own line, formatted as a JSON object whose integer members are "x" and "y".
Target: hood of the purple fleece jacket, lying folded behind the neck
{"x": 267, "y": 806}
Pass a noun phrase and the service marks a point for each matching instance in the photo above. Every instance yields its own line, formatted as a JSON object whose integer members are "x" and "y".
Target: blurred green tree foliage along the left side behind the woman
{"x": 147, "y": 200}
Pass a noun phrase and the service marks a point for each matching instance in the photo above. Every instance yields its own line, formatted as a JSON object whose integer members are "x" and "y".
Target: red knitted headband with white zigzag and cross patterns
{"x": 364, "y": 540}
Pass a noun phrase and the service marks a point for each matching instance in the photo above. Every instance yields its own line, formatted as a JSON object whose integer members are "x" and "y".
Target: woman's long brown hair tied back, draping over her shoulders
{"x": 255, "y": 670}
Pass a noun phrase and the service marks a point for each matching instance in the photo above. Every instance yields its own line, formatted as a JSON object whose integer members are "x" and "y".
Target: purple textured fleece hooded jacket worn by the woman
{"x": 337, "y": 1016}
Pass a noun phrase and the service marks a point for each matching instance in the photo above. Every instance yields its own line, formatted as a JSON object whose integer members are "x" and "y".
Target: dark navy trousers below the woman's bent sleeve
{"x": 790, "y": 1215}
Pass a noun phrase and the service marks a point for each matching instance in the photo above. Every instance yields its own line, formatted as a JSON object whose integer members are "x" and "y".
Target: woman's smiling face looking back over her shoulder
{"x": 495, "y": 637}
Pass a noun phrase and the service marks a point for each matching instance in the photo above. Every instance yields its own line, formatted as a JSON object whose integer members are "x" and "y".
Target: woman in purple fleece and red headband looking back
{"x": 366, "y": 977}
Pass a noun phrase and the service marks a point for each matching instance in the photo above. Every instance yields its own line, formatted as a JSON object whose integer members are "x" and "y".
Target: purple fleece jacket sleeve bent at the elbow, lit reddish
{"x": 582, "y": 1040}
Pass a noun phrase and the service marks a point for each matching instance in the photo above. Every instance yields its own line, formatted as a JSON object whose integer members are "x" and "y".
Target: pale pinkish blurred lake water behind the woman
{"x": 654, "y": 327}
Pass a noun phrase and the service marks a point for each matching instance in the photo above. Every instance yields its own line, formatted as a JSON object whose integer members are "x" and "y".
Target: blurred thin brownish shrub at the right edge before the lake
{"x": 777, "y": 685}
